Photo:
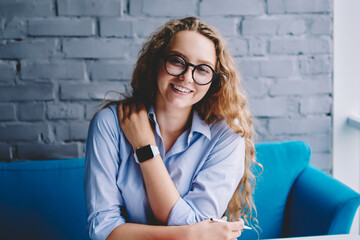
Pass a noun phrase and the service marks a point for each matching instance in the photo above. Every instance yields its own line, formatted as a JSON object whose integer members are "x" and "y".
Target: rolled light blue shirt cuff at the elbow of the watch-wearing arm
{"x": 181, "y": 214}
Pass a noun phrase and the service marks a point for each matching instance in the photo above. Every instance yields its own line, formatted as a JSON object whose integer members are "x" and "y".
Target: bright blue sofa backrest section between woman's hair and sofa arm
{"x": 282, "y": 163}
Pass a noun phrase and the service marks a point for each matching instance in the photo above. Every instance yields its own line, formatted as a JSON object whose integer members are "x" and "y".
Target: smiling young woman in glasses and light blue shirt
{"x": 178, "y": 151}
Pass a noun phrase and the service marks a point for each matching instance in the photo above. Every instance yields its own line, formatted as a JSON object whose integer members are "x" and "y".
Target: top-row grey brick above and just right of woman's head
{"x": 229, "y": 7}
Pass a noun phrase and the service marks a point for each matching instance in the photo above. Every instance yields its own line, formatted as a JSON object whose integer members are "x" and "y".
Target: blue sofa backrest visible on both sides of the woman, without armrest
{"x": 45, "y": 199}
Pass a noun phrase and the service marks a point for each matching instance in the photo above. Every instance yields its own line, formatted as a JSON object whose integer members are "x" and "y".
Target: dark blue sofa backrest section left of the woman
{"x": 42, "y": 200}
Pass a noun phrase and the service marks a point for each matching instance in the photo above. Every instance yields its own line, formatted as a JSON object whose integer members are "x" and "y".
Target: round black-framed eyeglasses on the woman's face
{"x": 202, "y": 74}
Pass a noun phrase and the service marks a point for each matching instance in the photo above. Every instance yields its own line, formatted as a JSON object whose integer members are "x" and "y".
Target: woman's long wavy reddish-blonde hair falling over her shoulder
{"x": 225, "y": 99}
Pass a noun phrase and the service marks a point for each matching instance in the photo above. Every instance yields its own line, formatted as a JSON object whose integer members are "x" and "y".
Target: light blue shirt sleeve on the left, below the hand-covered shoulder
{"x": 103, "y": 198}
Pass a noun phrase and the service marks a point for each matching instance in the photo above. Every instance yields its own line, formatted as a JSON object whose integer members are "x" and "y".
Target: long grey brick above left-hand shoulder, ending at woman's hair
{"x": 95, "y": 91}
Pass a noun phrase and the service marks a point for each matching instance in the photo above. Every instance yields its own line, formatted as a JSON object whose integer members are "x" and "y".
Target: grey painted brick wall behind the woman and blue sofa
{"x": 58, "y": 58}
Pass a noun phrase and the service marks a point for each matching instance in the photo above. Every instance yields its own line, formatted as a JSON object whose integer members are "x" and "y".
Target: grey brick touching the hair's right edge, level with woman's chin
{"x": 269, "y": 107}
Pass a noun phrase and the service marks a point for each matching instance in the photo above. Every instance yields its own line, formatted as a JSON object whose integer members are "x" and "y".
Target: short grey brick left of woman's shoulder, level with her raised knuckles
{"x": 56, "y": 111}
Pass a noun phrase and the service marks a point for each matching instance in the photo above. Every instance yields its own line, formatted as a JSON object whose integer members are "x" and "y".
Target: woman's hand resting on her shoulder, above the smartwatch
{"x": 135, "y": 124}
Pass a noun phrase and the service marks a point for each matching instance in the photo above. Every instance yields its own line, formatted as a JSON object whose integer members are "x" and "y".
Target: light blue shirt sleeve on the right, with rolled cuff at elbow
{"x": 214, "y": 185}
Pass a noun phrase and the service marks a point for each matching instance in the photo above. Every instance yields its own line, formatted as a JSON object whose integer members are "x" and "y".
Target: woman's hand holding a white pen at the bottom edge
{"x": 209, "y": 230}
